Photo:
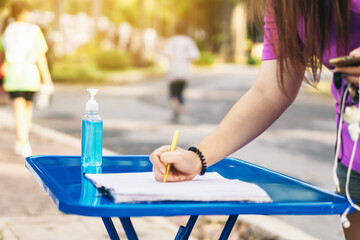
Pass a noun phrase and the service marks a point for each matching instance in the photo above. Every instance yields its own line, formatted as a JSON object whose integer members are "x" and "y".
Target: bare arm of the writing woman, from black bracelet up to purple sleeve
{"x": 252, "y": 114}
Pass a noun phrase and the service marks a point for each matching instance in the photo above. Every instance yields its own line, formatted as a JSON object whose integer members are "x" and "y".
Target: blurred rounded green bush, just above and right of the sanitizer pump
{"x": 113, "y": 60}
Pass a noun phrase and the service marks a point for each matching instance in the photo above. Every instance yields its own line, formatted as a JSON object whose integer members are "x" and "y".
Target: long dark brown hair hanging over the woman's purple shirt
{"x": 317, "y": 16}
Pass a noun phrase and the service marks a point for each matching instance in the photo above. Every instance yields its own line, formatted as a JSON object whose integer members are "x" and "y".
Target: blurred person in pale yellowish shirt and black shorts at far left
{"x": 25, "y": 66}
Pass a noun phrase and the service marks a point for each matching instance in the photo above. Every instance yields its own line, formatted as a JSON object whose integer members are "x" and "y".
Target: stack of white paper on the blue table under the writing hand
{"x": 139, "y": 187}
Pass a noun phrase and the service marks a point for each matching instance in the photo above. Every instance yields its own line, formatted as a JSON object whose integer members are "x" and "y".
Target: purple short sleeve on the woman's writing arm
{"x": 270, "y": 38}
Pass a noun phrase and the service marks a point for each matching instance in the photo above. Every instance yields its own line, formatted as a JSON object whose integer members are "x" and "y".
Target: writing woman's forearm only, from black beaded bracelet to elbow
{"x": 247, "y": 119}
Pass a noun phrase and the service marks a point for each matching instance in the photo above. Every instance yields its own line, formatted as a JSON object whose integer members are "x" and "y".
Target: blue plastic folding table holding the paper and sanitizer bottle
{"x": 62, "y": 178}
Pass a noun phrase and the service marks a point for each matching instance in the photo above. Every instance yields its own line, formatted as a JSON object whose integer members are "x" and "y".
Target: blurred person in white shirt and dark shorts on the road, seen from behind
{"x": 181, "y": 50}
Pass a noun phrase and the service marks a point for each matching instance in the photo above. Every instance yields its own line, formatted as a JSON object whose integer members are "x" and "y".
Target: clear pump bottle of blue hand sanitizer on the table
{"x": 91, "y": 133}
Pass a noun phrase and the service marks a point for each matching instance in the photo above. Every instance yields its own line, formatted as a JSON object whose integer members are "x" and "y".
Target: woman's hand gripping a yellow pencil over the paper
{"x": 185, "y": 165}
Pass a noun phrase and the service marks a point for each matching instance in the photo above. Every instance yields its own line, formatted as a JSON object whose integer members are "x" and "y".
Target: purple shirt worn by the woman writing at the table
{"x": 354, "y": 42}
